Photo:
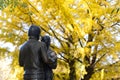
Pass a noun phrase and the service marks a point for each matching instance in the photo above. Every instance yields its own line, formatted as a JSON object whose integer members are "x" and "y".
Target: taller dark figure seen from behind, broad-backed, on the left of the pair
{"x": 33, "y": 55}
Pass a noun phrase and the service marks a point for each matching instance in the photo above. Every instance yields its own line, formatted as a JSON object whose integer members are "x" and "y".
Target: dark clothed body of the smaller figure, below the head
{"x": 52, "y": 65}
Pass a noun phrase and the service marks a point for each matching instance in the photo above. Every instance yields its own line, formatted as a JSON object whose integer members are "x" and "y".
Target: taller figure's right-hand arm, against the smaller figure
{"x": 44, "y": 54}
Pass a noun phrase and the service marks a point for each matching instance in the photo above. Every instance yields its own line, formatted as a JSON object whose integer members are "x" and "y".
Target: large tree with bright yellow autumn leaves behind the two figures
{"x": 84, "y": 33}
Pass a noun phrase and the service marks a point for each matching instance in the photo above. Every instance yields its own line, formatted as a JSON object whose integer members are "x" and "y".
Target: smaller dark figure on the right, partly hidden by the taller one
{"x": 52, "y": 57}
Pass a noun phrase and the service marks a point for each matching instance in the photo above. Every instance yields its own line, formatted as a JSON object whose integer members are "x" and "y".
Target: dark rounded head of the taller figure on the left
{"x": 34, "y": 31}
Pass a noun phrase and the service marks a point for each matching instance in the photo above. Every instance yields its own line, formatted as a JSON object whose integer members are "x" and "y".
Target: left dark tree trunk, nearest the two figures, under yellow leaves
{"x": 72, "y": 74}
